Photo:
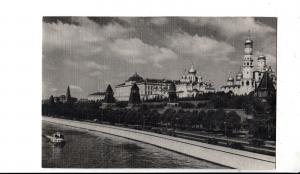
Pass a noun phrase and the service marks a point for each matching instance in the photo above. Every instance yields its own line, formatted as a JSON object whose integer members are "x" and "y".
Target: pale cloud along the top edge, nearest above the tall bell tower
{"x": 231, "y": 26}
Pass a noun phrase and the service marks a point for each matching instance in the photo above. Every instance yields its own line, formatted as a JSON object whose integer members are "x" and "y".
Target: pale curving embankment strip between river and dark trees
{"x": 232, "y": 158}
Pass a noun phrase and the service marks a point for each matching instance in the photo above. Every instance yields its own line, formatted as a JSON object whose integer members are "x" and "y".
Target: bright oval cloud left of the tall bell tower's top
{"x": 199, "y": 47}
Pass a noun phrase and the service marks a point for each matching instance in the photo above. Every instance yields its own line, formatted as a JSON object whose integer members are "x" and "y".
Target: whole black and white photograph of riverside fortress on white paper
{"x": 159, "y": 92}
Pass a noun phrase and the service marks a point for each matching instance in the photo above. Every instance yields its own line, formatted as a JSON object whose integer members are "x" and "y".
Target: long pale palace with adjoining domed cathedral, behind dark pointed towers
{"x": 189, "y": 85}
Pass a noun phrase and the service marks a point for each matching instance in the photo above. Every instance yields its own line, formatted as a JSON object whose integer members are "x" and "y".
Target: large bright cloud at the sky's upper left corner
{"x": 80, "y": 41}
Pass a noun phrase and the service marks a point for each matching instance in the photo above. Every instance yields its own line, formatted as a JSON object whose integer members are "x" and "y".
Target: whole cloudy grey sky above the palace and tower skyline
{"x": 88, "y": 53}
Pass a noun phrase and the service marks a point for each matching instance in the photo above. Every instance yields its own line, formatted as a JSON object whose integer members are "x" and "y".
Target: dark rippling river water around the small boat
{"x": 90, "y": 149}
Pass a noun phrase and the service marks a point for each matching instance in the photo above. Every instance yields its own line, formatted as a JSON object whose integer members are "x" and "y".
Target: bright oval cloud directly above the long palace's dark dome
{"x": 137, "y": 52}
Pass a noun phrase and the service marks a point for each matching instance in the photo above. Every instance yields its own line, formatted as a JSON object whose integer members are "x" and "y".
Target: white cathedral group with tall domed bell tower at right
{"x": 249, "y": 76}
